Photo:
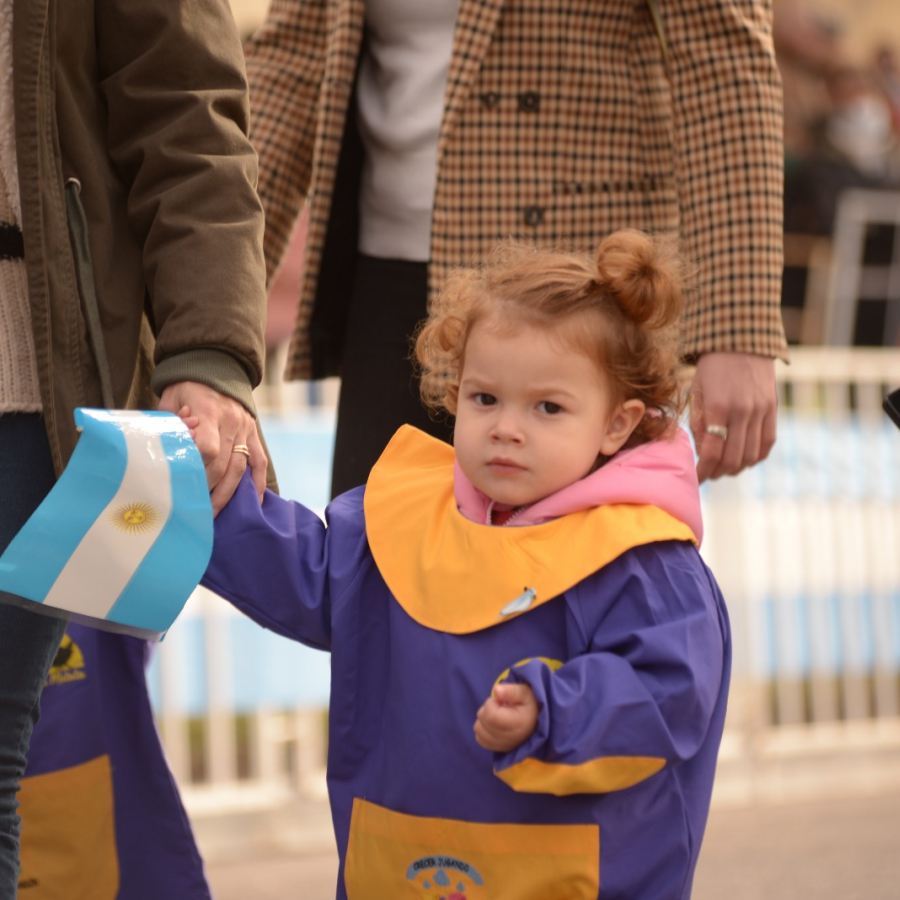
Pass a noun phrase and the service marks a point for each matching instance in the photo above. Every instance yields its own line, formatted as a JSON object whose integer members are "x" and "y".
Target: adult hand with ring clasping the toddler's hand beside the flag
{"x": 221, "y": 425}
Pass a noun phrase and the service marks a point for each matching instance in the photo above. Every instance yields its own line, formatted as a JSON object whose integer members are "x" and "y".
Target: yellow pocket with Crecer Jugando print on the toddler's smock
{"x": 394, "y": 855}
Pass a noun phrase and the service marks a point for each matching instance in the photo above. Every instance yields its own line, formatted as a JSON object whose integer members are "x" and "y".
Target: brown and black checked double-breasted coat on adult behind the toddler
{"x": 560, "y": 124}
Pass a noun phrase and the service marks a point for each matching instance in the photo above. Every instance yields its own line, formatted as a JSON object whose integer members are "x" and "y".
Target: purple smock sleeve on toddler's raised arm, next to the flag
{"x": 275, "y": 563}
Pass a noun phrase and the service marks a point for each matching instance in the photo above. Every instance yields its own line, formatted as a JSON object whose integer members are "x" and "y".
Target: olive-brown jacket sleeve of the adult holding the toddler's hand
{"x": 173, "y": 78}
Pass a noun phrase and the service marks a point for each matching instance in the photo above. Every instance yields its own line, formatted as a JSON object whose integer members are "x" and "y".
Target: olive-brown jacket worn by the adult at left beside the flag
{"x": 141, "y": 223}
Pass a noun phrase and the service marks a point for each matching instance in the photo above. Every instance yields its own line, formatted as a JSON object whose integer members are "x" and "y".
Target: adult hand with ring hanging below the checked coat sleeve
{"x": 733, "y": 412}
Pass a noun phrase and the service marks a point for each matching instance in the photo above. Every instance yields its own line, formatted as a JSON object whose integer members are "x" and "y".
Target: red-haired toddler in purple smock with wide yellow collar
{"x": 530, "y": 660}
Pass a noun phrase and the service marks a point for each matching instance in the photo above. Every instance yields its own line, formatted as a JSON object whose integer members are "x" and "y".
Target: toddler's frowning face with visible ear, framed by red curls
{"x": 533, "y": 415}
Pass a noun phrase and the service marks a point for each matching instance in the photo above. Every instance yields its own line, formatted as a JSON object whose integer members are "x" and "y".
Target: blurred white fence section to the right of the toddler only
{"x": 806, "y": 548}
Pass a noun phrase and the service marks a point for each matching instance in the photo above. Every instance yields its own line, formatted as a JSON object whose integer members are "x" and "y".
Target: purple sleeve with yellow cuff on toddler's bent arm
{"x": 643, "y": 694}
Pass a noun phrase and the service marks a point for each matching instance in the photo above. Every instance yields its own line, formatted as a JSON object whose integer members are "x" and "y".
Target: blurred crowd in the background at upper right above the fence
{"x": 841, "y": 130}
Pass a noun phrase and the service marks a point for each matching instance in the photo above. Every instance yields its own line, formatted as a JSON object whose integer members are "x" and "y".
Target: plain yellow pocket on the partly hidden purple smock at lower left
{"x": 68, "y": 834}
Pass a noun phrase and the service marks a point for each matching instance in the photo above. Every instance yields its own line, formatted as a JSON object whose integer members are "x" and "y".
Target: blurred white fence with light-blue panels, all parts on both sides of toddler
{"x": 805, "y": 546}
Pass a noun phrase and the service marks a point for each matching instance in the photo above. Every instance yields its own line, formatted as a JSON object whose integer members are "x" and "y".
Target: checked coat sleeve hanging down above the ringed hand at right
{"x": 727, "y": 133}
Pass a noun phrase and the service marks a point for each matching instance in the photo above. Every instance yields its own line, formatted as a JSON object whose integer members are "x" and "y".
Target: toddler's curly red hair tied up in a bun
{"x": 620, "y": 307}
